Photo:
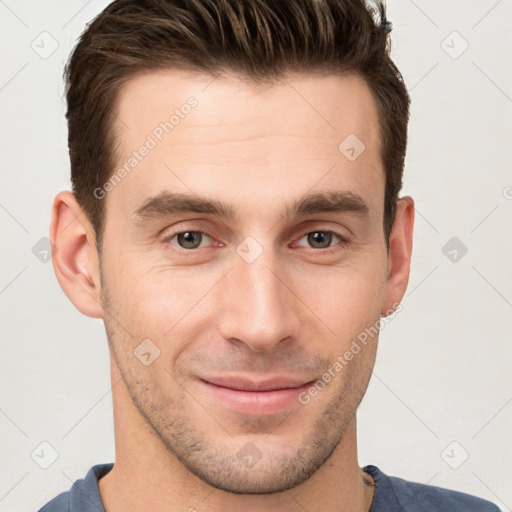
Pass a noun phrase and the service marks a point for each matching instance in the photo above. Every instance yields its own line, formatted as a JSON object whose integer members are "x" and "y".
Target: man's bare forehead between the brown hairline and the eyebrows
{"x": 232, "y": 138}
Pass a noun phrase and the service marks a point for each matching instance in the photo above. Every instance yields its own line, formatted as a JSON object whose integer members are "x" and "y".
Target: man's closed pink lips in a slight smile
{"x": 255, "y": 397}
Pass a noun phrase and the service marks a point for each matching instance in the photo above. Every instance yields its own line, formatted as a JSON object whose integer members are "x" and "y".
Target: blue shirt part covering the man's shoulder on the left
{"x": 84, "y": 494}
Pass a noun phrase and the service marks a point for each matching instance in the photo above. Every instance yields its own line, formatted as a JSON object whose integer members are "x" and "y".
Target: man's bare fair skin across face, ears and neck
{"x": 210, "y": 313}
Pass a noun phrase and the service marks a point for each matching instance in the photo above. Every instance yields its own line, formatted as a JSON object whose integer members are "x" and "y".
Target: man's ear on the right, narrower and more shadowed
{"x": 399, "y": 255}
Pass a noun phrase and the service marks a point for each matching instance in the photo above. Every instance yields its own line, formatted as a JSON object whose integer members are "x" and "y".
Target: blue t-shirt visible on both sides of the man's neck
{"x": 391, "y": 494}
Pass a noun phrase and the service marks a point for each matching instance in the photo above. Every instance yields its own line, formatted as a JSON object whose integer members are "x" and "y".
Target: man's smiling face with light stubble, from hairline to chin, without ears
{"x": 242, "y": 312}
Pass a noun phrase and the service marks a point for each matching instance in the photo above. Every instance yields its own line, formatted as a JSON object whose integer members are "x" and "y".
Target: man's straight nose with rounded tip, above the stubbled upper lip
{"x": 258, "y": 307}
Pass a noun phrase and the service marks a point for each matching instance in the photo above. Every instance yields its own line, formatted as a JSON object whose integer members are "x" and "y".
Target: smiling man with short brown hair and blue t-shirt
{"x": 235, "y": 221}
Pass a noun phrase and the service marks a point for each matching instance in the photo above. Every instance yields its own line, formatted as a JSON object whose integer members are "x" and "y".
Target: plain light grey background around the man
{"x": 443, "y": 371}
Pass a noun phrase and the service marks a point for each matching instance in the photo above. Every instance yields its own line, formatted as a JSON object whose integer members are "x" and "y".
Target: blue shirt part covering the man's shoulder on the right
{"x": 409, "y": 496}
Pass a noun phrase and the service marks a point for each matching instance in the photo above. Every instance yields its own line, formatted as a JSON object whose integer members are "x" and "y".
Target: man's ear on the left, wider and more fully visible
{"x": 75, "y": 260}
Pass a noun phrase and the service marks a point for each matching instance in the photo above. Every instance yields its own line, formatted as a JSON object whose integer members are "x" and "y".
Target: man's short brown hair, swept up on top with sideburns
{"x": 256, "y": 39}
